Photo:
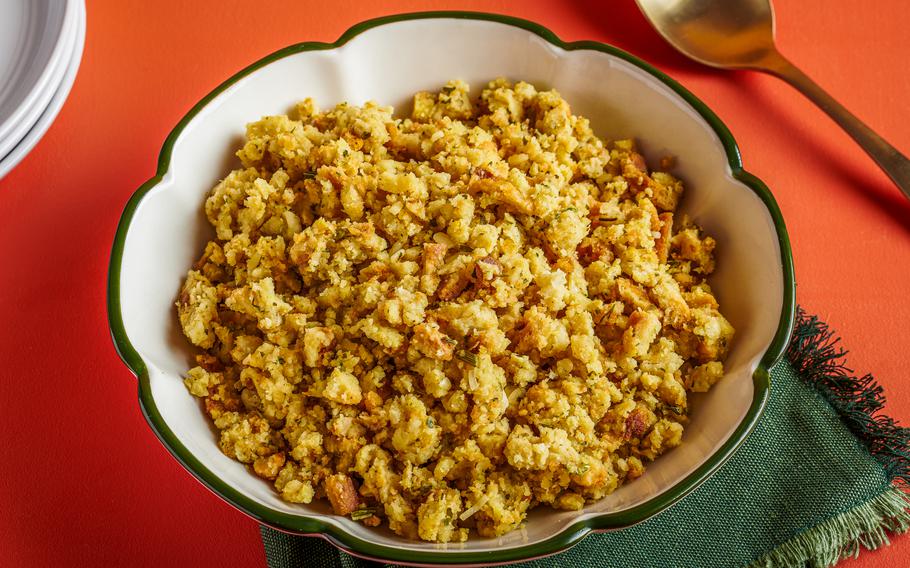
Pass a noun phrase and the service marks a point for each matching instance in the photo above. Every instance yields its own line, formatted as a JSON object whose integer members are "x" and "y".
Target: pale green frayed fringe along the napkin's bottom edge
{"x": 841, "y": 536}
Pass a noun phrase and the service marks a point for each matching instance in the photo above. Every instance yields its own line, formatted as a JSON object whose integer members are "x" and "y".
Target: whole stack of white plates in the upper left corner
{"x": 40, "y": 49}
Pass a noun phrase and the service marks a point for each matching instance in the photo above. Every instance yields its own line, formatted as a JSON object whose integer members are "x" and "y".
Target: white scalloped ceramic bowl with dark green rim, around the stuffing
{"x": 163, "y": 229}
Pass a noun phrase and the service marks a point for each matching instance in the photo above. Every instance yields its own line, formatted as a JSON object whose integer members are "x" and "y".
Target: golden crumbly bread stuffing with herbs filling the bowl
{"x": 440, "y": 322}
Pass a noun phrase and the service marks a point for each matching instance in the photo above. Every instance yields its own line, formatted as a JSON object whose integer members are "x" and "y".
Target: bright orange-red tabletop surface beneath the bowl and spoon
{"x": 83, "y": 481}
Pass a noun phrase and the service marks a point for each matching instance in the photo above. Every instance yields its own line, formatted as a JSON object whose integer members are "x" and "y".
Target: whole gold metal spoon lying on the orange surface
{"x": 739, "y": 34}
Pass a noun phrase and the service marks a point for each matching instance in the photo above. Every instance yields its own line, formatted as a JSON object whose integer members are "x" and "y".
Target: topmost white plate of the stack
{"x": 33, "y": 45}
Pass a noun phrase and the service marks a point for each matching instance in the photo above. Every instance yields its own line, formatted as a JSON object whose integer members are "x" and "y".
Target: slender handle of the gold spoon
{"x": 895, "y": 164}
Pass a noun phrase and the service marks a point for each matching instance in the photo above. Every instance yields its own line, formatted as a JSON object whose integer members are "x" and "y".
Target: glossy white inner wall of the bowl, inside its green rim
{"x": 388, "y": 64}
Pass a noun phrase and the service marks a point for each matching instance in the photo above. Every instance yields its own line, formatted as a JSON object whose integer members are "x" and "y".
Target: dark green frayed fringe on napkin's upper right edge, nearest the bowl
{"x": 816, "y": 354}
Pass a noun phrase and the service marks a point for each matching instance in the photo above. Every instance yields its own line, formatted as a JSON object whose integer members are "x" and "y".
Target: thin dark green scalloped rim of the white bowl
{"x": 573, "y": 533}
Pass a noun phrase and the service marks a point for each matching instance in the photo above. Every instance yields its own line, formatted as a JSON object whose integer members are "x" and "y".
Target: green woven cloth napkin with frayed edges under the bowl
{"x": 823, "y": 474}
